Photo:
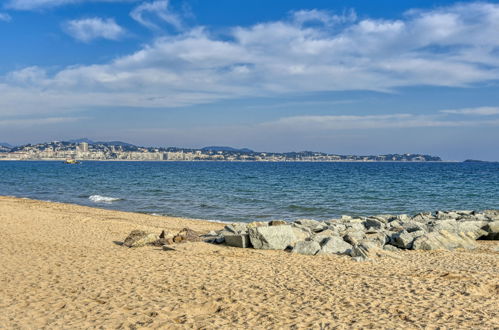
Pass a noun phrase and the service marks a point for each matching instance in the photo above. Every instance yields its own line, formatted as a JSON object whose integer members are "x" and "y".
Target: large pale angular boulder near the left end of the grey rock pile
{"x": 272, "y": 238}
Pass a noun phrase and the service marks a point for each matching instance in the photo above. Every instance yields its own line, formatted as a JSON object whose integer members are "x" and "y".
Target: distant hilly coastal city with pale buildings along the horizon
{"x": 84, "y": 149}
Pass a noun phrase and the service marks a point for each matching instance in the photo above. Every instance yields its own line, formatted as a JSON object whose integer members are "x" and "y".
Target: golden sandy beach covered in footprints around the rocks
{"x": 62, "y": 266}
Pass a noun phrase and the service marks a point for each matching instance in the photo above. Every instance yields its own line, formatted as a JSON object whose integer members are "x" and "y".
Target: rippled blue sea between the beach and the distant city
{"x": 257, "y": 191}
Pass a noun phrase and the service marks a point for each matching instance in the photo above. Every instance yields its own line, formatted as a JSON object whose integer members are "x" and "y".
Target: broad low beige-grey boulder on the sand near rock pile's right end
{"x": 443, "y": 240}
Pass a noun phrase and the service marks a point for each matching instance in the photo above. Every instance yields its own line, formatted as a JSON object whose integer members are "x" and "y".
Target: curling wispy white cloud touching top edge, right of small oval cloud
{"x": 156, "y": 8}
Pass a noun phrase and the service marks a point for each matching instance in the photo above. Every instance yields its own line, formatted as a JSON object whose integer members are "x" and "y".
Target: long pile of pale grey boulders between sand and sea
{"x": 361, "y": 237}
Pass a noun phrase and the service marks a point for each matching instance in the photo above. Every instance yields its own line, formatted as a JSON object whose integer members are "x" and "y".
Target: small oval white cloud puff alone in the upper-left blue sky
{"x": 88, "y": 29}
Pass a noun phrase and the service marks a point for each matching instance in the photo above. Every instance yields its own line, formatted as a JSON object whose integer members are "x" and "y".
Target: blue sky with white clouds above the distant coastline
{"x": 338, "y": 76}
